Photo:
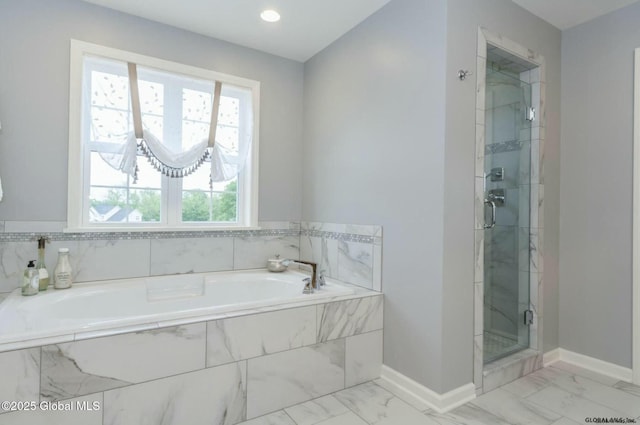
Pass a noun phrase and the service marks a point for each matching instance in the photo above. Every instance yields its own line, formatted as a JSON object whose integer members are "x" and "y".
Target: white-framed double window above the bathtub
{"x": 176, "y": 103}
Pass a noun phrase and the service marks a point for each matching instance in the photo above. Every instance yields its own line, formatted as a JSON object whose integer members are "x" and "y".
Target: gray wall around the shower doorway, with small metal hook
{"x": 506, "y": 18}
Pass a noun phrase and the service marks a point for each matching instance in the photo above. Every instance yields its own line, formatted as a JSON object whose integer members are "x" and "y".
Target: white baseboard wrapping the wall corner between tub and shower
{"x": 441, "y": 403}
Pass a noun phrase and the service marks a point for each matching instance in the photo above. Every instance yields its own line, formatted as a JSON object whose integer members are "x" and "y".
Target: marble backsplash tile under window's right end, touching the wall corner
{"x": 252, "y": 252}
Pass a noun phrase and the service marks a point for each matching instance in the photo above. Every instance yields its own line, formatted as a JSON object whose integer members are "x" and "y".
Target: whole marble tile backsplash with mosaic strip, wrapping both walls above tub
{"x": 351, "y": 253}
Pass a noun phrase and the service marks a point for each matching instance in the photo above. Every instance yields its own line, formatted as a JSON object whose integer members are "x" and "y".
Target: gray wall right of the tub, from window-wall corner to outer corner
{"x": 374, "y": 133}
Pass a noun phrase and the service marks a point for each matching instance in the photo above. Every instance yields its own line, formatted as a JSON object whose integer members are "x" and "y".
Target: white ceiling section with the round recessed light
{"x": 306, "y": 27}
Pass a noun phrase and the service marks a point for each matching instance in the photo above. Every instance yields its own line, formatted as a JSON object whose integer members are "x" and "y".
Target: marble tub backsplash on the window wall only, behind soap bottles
{"x": 105, "y": 256}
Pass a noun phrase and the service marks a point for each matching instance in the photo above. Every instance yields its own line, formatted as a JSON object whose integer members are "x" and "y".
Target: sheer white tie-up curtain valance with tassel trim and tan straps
{"x": 225, "y": 163}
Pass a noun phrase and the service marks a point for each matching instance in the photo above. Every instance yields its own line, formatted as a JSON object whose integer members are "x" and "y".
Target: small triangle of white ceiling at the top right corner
{"x": 565, "y": 14}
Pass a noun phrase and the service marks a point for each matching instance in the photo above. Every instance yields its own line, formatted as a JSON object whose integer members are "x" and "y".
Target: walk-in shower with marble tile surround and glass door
{"x": 515, "y": 256}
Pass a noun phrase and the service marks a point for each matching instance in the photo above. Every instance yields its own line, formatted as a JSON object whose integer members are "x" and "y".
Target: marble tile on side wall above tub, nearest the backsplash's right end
{"x": 355, "y": 263}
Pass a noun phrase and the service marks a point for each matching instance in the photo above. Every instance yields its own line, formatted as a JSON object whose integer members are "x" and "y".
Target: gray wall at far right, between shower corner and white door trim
{"x": 597, "y": 177}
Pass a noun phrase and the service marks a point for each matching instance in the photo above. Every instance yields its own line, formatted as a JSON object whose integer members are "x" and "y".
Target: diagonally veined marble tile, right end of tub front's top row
{"x": 346, "y": 318}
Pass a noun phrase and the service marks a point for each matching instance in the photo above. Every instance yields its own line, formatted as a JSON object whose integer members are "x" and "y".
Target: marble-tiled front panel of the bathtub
{"x": 218, "y": 372}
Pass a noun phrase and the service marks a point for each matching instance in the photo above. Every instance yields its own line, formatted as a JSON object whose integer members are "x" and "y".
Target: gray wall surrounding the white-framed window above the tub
{"x": 34, "y": 100}
